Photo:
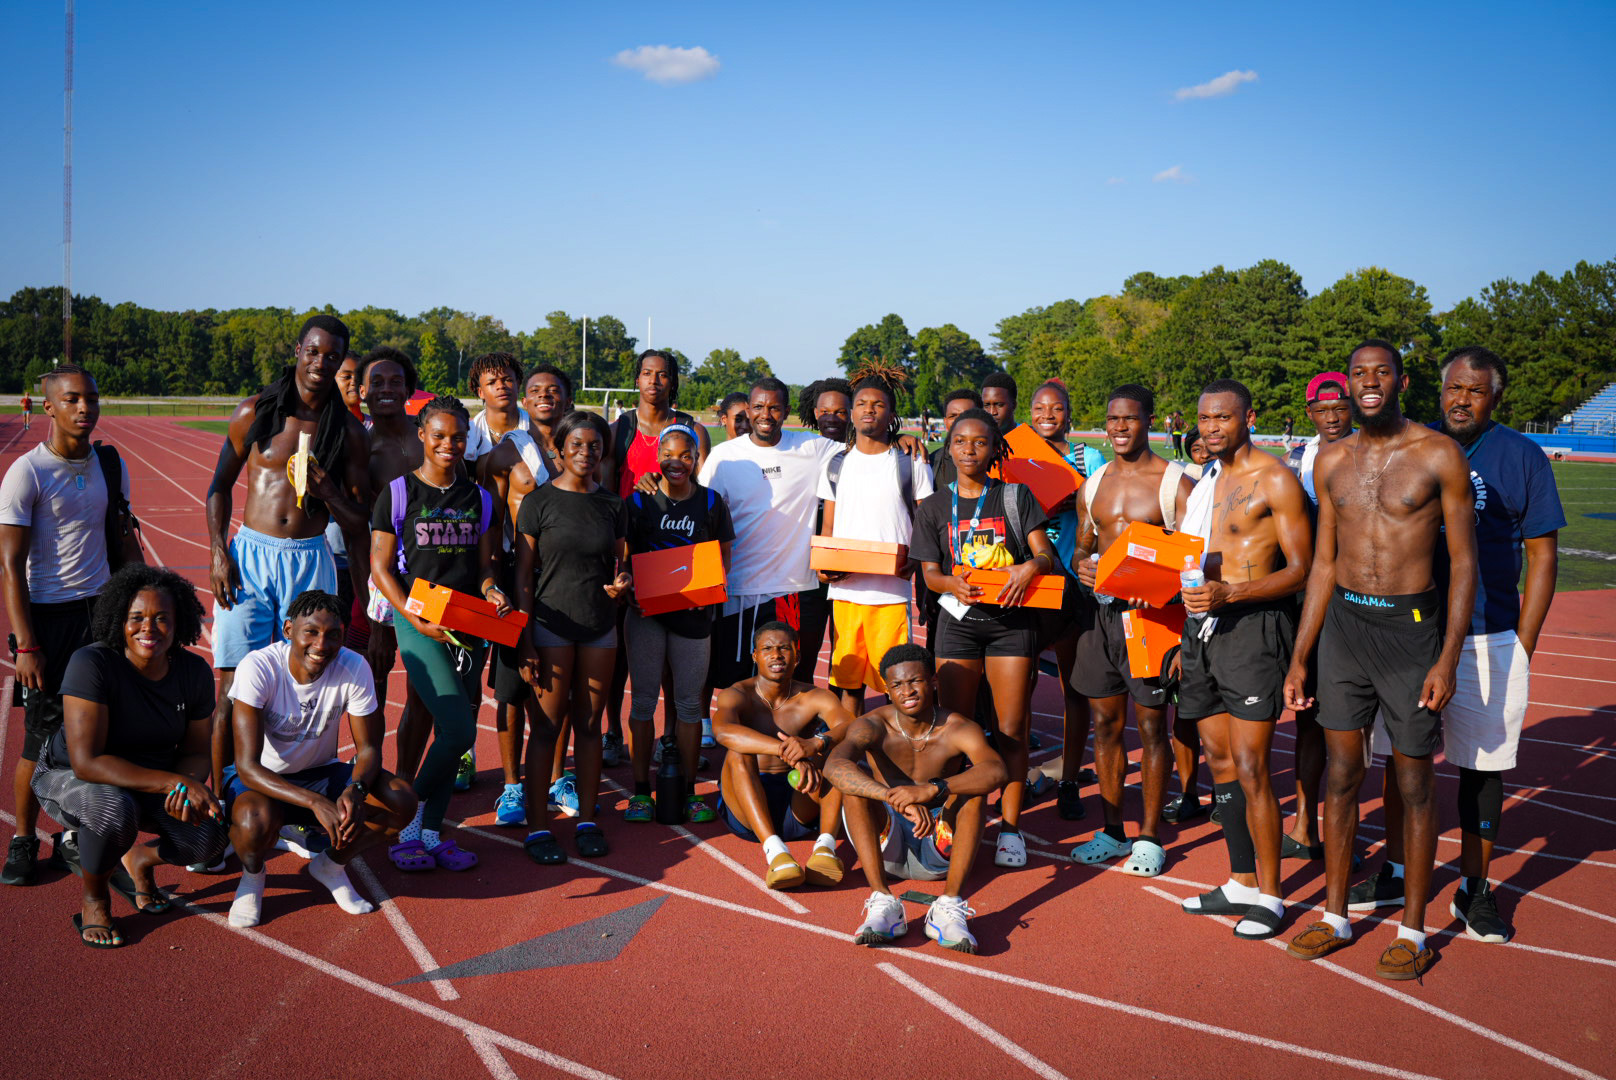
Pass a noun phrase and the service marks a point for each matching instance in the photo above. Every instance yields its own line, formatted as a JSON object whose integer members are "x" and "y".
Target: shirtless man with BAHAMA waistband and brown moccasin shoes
{"x": 1389, "y": 496}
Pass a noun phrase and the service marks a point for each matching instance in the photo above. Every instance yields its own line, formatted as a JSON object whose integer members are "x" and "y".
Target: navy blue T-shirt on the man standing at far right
{"x": 1517, "y": 500}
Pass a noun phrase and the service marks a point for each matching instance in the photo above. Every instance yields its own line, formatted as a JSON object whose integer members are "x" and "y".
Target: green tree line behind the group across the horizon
{"x": 1172, "y": 334}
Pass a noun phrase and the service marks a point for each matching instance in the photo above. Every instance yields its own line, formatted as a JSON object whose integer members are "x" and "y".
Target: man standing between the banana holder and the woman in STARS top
{"x": 387, "y": 379}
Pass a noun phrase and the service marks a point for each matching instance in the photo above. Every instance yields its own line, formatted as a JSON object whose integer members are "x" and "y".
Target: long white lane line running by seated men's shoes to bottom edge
{"x": 982, "y": 972}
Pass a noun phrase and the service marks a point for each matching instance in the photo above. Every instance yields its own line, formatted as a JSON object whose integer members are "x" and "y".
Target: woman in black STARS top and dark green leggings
{"x": 437, "y": 525}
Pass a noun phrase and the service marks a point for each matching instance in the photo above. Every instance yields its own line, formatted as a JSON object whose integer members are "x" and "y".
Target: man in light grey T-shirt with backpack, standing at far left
{"x": 64, "y": 531}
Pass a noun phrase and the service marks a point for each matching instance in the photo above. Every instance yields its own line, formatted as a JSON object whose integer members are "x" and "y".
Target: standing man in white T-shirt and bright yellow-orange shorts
{"x": 870, "y": 492}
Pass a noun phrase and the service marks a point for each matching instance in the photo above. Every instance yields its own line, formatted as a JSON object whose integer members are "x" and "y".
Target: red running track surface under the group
{"x": 1082, "y": 971}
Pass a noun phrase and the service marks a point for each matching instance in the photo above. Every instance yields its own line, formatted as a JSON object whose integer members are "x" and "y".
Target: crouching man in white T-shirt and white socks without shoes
{"x": 288, "y": 707}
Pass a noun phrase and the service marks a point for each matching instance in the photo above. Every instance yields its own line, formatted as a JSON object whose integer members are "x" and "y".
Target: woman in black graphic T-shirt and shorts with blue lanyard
{"x": 982, "y": 635}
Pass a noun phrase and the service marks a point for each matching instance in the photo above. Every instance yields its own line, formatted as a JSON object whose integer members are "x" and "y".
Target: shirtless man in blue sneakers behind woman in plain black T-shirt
{"x": 524, "y": 460}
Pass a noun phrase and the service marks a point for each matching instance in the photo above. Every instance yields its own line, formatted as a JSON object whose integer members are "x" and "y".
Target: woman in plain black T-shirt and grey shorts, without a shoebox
{"x": 571, "y": 570}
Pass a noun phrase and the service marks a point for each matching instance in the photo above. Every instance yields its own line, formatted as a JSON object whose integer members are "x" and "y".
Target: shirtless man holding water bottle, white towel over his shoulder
{"x": 1253, "y": 513}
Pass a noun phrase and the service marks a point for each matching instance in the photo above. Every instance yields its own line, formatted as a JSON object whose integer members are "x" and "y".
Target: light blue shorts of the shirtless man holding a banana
{"x": 274, "y": 573}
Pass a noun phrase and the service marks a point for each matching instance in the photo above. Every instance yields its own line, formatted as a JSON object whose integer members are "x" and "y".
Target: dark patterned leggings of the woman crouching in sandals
{"x": 111, "y": 821}
